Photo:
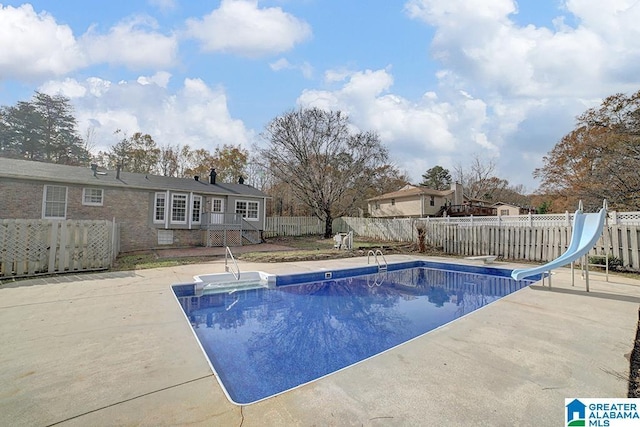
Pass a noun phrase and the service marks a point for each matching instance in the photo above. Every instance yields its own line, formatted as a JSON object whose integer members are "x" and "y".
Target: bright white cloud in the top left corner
{"x": 33, "y": 45}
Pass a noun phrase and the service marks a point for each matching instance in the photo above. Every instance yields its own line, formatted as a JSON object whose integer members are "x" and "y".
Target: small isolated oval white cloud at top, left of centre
{"x": 241, "y": 27}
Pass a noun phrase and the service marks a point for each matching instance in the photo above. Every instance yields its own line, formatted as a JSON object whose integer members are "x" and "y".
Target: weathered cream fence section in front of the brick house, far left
{"x": 31, "y": 247}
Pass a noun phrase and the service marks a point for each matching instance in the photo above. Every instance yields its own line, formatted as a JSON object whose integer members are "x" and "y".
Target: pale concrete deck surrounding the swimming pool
{"x": 115, "y": 349}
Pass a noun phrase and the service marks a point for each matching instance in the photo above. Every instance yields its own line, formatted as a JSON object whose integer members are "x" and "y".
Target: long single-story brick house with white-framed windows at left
{"x": 151, "y": 210}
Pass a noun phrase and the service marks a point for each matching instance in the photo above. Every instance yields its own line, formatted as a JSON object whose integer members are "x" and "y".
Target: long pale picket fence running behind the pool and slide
{"x": 538, "y": 238}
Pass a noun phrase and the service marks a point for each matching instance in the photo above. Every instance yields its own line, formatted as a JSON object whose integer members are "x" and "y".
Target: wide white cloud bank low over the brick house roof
{"x": 194, "y": 115}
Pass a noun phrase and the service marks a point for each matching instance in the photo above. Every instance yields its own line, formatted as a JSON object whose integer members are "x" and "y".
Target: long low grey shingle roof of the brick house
{"x": 51, "y": 172}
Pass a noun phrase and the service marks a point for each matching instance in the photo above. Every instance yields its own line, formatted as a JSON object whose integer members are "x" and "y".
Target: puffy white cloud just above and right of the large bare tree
{"x": 419, "y": 134}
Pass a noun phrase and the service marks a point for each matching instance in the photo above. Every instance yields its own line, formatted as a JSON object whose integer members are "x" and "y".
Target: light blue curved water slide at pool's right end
{"x": 587, "y": 229}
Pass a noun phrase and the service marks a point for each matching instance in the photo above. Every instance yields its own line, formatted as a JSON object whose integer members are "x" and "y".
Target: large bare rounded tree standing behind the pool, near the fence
{"x": 326, "y": 164}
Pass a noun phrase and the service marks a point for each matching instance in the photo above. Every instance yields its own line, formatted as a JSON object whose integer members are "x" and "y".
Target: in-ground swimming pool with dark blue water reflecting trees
{"x": 264, "y": 341}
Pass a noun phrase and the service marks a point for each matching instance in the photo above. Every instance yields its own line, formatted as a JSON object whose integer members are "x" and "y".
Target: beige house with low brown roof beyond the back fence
{"x": 415, "y": 201}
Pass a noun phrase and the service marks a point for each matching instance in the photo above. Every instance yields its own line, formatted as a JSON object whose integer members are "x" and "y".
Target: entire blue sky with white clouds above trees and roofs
{"x": 441, "y": 81}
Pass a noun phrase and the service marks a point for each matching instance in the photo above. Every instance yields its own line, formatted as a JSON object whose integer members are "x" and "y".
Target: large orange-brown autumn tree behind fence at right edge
{"x": 600, "y": 158}
